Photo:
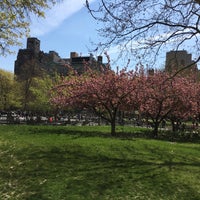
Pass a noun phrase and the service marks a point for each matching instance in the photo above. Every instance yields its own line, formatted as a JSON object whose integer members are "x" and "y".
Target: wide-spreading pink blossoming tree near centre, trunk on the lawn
{"x": 106, "y": 93}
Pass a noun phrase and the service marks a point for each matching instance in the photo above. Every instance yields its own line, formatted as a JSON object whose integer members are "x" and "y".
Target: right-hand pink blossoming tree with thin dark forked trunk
{"x": 163, "y": 97}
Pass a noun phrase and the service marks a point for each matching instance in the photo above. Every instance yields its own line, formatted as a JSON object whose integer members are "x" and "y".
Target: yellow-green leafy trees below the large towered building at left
{"x": 30, "y": 94}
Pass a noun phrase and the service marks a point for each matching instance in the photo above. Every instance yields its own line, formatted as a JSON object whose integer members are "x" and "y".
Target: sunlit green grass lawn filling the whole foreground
{"x": 72, "y": 163}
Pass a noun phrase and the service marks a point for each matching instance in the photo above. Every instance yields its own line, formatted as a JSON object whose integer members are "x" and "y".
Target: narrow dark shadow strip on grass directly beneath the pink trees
{"x": 121, "y": 134}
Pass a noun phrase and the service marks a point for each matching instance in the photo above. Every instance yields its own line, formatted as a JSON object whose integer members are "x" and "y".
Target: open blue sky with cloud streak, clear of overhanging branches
{"x": 67, "y": 27}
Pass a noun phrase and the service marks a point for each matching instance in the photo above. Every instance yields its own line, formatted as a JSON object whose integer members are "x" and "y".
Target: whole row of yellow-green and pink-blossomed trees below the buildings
{"x": 156, "y": 95}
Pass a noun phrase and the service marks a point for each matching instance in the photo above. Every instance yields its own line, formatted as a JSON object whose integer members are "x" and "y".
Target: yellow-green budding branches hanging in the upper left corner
{"x": 15, "y": 20}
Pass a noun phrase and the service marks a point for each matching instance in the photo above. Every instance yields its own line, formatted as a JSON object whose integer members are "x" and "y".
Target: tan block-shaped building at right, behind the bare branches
{"x": 177, "y": 60}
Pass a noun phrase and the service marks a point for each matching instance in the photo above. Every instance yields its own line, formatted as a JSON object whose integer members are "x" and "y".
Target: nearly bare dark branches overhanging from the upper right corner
{"x": 146, "y": 27}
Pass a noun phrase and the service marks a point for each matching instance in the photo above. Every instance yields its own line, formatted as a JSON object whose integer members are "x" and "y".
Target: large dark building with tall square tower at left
{"x": 34, "y": 61}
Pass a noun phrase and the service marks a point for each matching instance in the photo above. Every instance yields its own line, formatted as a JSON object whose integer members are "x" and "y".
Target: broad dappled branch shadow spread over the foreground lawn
{"x": 76, "y": 173}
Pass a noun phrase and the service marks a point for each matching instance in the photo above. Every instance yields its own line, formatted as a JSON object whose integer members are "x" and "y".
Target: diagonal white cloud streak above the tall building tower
{"x": 55, "y": 16}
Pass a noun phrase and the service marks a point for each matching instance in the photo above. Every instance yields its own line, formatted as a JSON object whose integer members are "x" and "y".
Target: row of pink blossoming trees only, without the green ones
{"x": 155, "y": 96}
